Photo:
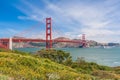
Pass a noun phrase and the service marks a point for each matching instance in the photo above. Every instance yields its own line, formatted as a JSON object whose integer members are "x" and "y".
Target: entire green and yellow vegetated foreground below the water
{"x": 51, "y": 65}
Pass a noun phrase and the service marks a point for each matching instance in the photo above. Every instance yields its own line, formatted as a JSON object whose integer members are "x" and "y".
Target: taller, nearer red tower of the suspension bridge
{"x": 48, "y": 33}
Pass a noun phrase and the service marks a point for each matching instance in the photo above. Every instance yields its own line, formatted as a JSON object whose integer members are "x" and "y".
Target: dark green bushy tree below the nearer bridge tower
{"x": 58, "y": 56}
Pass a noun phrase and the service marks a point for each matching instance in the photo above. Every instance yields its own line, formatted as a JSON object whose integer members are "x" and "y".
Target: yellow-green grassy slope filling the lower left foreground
{"x": 27, "y": 67}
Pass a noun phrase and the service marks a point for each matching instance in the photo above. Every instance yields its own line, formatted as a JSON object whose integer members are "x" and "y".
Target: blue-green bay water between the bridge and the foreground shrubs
{"x": 102, "y": 56}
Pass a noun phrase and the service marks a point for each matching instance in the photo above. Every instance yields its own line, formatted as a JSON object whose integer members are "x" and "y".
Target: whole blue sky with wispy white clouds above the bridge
{"x": 98, "y": 19}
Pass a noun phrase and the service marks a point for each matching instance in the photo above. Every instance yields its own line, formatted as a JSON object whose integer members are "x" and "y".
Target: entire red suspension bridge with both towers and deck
{"x": 8, "y": 42}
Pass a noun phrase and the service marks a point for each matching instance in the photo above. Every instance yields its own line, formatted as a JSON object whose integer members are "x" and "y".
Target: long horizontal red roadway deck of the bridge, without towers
{"x": 37, "y": 40}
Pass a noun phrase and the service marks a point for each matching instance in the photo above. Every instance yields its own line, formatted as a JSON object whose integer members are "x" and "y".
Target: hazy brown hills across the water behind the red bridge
{"x": 90, "y": 43}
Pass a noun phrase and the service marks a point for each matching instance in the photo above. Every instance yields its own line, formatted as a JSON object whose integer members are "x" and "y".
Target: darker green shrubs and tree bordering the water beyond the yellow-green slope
{"x": 99, "y": 71}
